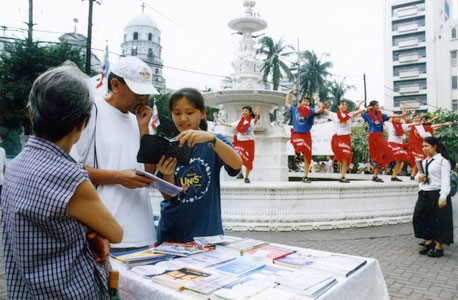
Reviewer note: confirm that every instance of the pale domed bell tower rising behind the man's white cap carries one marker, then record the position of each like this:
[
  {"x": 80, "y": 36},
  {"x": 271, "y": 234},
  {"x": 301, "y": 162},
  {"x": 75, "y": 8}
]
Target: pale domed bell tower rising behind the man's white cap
[{"x": 142, "y": 38}]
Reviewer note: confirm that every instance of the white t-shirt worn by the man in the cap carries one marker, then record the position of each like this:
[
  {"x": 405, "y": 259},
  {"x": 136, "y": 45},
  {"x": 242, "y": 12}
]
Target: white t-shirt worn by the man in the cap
[{"x": 118, "y": 141}]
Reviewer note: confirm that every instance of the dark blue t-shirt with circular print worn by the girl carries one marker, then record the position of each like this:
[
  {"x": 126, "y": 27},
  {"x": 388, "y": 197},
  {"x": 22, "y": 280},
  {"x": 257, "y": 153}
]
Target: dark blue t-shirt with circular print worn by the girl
[{"x": 197, "y": 211}]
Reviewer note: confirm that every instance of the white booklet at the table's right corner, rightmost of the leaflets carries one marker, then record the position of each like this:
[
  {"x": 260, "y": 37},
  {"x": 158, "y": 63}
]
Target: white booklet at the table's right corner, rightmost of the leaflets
[{"x": 339, "y": 265}]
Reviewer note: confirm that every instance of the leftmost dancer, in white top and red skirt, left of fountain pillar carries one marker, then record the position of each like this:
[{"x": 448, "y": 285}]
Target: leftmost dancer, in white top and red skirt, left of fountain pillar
[{"x": 244, "y": 140}]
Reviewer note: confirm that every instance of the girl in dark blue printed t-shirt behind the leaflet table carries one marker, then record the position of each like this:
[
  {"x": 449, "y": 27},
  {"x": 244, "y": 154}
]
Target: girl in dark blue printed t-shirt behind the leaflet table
[{"x": 197, "y": 210}]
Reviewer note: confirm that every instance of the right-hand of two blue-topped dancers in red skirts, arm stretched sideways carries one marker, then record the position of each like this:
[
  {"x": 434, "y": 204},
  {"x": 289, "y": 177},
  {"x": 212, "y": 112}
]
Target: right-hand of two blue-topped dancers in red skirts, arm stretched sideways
[{"x": 379, "y": 149}]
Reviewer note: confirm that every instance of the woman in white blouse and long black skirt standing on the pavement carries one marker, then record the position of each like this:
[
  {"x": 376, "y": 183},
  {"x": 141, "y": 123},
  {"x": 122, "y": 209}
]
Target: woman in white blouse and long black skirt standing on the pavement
[{"x": 432, "y": 218}]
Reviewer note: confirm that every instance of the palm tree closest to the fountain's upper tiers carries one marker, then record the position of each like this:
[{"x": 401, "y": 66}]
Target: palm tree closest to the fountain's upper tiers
[{"x": 273, "y": 63}]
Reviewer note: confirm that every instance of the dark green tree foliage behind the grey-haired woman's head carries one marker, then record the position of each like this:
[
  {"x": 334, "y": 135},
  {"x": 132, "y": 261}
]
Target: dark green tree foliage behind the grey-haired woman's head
[{"x": 20, "y": 64}]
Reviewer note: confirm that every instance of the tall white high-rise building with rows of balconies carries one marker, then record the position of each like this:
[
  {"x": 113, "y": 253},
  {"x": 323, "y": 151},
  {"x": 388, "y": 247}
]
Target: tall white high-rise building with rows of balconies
[{"x": 420, "y": 55}]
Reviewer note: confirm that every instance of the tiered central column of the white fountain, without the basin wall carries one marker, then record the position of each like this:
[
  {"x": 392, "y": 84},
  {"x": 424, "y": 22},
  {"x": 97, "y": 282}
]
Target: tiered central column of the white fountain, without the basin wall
[{"x": 270, "y": 163}]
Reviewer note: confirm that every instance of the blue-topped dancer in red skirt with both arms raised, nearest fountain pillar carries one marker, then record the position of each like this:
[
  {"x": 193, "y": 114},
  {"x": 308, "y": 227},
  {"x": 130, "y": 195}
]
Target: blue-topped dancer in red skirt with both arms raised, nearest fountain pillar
[{"x": 301, "y": 139}]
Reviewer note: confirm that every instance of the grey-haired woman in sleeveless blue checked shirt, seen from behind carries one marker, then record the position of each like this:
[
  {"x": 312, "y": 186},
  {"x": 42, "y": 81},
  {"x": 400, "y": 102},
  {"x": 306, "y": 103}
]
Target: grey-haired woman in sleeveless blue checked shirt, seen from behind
[{"x": 49, "y": 206}]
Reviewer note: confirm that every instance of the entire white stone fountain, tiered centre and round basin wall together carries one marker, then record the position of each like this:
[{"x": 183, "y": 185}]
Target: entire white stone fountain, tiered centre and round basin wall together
[{"x": 270, "y": 202}]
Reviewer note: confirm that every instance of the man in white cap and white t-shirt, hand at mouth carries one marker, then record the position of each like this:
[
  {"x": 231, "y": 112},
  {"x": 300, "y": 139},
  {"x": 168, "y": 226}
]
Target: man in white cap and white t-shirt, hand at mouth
[{"x": 108, "y": 148}]
